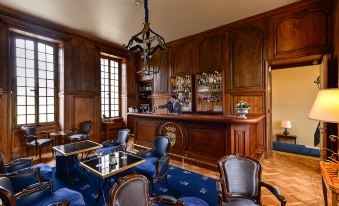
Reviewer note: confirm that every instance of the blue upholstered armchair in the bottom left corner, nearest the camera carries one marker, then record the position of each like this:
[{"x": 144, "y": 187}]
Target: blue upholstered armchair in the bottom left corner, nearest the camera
[{"x": 38, "y": 194}]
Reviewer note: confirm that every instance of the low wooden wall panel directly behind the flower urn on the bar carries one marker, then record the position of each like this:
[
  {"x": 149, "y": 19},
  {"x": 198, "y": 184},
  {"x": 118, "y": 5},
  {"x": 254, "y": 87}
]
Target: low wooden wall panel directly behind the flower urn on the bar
[{"x": 255, "y": 100}]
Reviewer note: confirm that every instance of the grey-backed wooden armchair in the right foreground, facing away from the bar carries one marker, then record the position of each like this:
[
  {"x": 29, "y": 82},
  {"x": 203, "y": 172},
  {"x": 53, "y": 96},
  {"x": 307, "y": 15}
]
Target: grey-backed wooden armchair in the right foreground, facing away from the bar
[{"x": 240, "y": 182}]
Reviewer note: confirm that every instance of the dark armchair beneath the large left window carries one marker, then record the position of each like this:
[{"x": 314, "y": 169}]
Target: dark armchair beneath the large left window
[{"x": 33, "y": 142}]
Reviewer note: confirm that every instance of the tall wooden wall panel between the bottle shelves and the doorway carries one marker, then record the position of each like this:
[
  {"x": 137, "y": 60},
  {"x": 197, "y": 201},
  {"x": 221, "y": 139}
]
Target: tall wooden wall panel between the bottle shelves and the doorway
[{"x": 246, "y": 54}]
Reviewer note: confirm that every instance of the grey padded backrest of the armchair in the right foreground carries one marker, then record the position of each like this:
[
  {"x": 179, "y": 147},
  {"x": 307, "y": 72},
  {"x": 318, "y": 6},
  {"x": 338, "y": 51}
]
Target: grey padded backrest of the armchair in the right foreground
[{"x": 240, "y": 177}]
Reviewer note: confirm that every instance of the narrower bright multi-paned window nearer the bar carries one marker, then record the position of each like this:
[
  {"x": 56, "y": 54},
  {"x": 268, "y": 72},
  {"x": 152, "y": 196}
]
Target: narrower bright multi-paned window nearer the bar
[{"x": 110, "y": 101}]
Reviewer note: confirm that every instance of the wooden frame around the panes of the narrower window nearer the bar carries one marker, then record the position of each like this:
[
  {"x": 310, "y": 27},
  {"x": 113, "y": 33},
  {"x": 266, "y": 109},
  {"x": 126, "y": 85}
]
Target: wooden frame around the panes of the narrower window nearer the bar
[{"x": 109, "y": 58}]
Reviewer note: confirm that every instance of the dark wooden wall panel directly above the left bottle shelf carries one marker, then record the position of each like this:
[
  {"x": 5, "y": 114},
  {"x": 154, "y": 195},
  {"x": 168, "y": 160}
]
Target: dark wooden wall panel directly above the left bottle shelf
[{"x": 183, "y": 58}]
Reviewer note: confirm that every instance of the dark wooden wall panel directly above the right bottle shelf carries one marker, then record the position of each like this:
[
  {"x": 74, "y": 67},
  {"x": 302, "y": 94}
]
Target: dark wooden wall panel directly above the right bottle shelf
[{"x": 211, "y": 53}]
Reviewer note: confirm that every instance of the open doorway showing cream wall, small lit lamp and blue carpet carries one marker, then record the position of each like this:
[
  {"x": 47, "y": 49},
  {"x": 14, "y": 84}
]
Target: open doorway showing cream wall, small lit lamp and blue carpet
[{"x": 293, "y": 92}]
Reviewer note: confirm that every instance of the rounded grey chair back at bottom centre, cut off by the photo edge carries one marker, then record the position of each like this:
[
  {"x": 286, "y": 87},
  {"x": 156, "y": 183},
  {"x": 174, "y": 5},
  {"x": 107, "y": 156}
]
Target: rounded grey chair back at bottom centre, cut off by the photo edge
[{"x": 130, "y": 190}]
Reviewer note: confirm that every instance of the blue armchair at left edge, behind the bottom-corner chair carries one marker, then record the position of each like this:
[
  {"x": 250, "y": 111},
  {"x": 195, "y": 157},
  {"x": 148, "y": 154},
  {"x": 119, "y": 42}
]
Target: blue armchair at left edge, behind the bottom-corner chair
[{"x": 25, "y": 163}]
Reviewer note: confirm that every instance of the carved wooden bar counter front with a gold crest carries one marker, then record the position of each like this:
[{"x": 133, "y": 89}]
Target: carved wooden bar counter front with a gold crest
[{"x": 201, "y": 138}]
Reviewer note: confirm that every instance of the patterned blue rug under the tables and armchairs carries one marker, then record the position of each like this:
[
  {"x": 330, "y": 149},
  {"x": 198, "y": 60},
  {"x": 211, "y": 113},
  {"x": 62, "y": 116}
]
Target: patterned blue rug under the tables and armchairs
[{"x": 181, "y": 183}]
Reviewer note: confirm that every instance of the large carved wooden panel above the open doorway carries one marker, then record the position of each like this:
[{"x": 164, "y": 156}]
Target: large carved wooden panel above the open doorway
[{"x": 301, "y": 32}]
